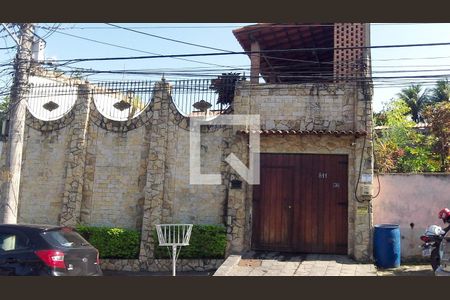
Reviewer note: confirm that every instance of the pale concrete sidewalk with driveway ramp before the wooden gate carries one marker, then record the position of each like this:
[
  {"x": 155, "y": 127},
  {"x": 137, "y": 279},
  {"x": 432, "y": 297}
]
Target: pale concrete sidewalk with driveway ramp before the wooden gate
[{"x": 282, "y": 264}]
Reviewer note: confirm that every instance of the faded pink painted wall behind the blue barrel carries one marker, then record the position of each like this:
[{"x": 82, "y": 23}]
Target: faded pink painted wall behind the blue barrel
[{"x": 407, "y": 199}]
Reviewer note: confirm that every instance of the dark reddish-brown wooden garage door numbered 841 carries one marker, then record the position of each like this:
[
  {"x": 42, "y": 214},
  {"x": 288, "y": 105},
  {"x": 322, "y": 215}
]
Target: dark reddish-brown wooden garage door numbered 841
[{"x": 301, "y": 204}]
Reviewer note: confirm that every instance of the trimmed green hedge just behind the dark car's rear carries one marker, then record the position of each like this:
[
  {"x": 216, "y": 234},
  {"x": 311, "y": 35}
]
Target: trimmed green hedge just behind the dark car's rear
[{"x": 112, "y": 242}]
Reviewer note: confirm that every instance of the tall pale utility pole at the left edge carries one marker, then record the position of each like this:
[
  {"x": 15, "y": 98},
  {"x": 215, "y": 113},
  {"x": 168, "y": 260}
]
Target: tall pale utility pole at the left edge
[{"x": 17, "y": 111}]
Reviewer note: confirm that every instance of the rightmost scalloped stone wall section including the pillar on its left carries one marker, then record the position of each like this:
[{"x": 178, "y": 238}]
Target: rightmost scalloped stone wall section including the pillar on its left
[{"x": 169, "y": 198}]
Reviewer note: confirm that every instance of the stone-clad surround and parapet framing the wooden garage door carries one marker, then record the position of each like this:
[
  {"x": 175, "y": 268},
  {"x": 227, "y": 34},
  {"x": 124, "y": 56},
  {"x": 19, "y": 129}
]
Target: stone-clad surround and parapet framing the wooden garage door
[{"x": 313, "y": 107}]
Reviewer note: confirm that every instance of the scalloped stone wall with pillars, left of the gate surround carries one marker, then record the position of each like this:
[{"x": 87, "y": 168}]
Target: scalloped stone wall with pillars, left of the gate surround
[{"x": 87, "y": 169}]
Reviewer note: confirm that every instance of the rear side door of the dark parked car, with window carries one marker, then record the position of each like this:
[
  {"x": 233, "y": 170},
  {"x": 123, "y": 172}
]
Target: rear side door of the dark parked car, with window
[{"x": 16, "y": 253}]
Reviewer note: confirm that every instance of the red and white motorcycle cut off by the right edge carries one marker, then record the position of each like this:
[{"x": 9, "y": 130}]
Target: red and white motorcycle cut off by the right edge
[{"x": 432, "y": 240}]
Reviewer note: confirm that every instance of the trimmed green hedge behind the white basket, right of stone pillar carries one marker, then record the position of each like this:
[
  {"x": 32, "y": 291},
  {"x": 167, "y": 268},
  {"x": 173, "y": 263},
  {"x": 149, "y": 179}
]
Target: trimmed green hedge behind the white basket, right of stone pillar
[{"x": 207, "y": 241}]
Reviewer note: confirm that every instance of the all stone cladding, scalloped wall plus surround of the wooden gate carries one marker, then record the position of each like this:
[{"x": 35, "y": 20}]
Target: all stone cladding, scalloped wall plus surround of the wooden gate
[{"x": 135, "y": 174}]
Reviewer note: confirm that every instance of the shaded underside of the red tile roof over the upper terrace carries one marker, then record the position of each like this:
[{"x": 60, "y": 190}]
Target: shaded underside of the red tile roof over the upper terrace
[{"x": 291, "y": 66}]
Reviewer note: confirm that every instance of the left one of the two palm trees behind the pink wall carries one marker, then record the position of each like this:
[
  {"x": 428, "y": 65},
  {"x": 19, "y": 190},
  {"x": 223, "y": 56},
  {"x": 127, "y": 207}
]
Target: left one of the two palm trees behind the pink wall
[{"x": 416, "y": 99}]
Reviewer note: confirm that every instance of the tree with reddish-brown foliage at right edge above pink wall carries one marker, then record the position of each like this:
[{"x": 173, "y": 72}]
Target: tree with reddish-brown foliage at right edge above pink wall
[{"x": 438, "y": 116}]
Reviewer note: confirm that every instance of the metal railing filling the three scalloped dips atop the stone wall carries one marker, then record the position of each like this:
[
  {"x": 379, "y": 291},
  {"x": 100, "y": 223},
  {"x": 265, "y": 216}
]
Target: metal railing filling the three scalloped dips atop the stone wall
[{"x": 124, "y": 100}]
